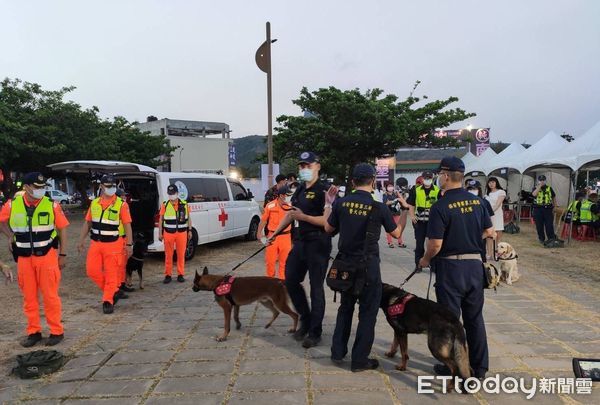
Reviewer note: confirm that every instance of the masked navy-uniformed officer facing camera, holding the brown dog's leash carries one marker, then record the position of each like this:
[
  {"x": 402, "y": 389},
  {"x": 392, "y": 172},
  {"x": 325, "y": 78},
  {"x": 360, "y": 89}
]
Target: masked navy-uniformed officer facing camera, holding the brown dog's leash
[{"x": 311, "y": 248}]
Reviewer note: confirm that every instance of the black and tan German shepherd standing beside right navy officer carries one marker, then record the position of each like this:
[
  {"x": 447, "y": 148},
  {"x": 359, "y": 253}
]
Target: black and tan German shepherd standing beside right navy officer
[{"x": 445, "y": 334}]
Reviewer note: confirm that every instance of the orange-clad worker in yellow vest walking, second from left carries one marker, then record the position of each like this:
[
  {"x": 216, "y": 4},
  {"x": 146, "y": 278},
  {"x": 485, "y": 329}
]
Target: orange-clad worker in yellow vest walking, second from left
[{"x": 107, "y": 220}]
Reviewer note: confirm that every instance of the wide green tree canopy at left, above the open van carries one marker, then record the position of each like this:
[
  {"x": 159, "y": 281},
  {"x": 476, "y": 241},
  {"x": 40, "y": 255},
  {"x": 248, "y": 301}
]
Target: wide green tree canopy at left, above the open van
[{"x": 39, "y": 127}]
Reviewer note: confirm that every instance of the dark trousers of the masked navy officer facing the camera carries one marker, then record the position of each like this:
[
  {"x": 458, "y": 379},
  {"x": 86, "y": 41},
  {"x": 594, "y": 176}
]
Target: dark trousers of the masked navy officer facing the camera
[{"x": 312, "y": 257}]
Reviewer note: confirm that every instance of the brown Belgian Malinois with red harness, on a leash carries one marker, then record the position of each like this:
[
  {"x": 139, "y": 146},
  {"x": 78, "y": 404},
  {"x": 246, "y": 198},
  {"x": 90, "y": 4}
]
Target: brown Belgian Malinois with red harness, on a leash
[{"x": 270, "y": 292}]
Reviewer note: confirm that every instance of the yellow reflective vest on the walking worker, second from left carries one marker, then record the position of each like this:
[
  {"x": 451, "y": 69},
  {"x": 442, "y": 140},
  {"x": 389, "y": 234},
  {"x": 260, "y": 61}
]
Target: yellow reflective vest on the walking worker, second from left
[{"x": 106, "y": 224}]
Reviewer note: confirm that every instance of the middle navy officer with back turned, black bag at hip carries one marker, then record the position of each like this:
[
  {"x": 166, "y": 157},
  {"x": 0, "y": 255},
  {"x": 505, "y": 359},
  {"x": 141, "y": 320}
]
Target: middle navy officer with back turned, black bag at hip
[{"x": 349, "y": 215}]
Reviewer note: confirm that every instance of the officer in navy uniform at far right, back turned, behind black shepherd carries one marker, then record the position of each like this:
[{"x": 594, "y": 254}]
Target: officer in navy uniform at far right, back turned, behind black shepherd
[{"x": 457, "y": 224}]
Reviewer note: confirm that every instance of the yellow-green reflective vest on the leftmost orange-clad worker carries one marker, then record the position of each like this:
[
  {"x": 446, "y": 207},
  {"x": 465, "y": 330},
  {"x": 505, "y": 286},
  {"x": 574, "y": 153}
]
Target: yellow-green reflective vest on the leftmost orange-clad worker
[{"x": 34, "y": 232}]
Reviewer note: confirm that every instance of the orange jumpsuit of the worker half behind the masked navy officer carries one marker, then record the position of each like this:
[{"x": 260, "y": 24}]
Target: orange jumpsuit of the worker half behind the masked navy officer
[{"x": 281, "y": 246}]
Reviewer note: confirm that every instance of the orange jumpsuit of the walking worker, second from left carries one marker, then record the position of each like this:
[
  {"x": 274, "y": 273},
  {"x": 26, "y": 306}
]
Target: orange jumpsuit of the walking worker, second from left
[{"x": 105, "y": 259}]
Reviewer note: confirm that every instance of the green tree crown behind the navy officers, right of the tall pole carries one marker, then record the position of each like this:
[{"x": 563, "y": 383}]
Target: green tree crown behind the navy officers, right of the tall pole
[{"x": 348, "y": 127}]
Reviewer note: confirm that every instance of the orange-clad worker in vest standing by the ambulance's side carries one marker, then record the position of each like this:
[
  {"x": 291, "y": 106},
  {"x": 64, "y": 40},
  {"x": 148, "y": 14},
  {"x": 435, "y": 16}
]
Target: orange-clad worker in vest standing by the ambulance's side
[{"x": 175, "y": 230}]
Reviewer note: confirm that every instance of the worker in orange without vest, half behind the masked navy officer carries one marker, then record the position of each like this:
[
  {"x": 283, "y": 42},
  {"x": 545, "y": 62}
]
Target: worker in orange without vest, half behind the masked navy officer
[{"x": 279, "y": 250}]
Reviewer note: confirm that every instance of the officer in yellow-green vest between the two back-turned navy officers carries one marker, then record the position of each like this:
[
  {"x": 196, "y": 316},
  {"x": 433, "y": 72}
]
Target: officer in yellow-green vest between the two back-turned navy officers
[{"x": 420, "y": 200}]
